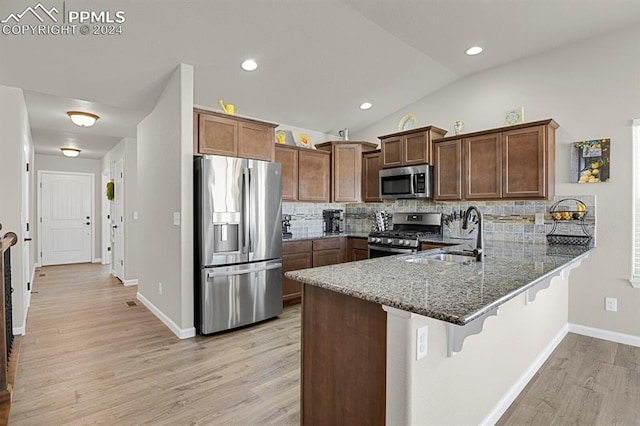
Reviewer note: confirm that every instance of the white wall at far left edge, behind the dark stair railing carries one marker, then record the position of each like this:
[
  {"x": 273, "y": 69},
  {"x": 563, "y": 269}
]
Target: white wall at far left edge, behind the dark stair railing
[{"x": 15, "y": 138}]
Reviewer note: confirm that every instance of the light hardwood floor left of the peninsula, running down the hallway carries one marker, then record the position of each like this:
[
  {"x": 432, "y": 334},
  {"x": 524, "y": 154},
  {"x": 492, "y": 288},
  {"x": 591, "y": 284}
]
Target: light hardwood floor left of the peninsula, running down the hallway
[{"x": 89, "y": 358}]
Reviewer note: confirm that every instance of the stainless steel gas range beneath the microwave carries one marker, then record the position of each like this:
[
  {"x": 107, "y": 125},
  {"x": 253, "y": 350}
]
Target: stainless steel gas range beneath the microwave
[{"x": 404, "y": 237}]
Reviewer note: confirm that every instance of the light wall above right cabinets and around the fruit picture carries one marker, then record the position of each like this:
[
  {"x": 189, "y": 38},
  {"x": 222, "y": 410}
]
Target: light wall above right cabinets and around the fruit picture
[{"x": 592, "y": 90}]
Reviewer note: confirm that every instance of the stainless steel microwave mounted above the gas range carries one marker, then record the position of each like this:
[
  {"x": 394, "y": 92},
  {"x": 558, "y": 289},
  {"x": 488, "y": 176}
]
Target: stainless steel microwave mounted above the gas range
[{"x": 407, "y": 182}]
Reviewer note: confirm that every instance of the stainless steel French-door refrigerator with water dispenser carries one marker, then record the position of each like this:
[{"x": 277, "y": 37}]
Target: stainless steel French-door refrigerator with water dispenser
[{"x": 238, "y": 234}]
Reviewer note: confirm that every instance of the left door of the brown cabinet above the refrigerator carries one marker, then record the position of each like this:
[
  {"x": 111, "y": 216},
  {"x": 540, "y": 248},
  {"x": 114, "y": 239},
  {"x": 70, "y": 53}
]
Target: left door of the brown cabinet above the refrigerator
[{"x": 217, "y": 135}]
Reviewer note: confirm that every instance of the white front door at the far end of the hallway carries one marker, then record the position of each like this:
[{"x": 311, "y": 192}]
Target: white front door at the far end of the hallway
[{"x": 66, "y": 218}]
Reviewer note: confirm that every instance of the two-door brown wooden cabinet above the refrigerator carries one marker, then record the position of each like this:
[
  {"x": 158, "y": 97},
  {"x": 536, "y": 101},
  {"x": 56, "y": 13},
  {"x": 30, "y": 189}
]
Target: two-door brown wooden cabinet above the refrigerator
[{"x": 222, "y": 134}]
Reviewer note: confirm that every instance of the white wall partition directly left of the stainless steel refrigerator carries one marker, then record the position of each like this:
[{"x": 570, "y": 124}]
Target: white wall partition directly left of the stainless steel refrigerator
[{"x": 165, "y": 187}]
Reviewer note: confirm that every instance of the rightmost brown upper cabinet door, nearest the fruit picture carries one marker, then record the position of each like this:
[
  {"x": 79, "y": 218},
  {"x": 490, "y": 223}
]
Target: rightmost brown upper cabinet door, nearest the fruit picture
[{"x": 524, "y": 163}]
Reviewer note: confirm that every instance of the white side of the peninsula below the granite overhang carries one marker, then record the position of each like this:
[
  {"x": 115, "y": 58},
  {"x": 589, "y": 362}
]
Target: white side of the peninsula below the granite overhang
[{"x": 478, "y": 384}]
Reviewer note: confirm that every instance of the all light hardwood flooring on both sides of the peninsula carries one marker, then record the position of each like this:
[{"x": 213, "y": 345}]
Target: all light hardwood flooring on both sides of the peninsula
[{"x": 88, "y": 358}]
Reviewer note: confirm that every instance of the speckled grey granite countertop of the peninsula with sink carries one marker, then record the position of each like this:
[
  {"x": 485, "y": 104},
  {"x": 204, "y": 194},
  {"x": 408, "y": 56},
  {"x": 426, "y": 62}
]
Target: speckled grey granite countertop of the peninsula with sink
[{"x": 455, "y": 293}]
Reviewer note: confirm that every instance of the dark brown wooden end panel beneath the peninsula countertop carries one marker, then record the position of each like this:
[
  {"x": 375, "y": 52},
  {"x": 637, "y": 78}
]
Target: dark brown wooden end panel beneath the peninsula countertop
[{"x": 344, "y": 359}]
